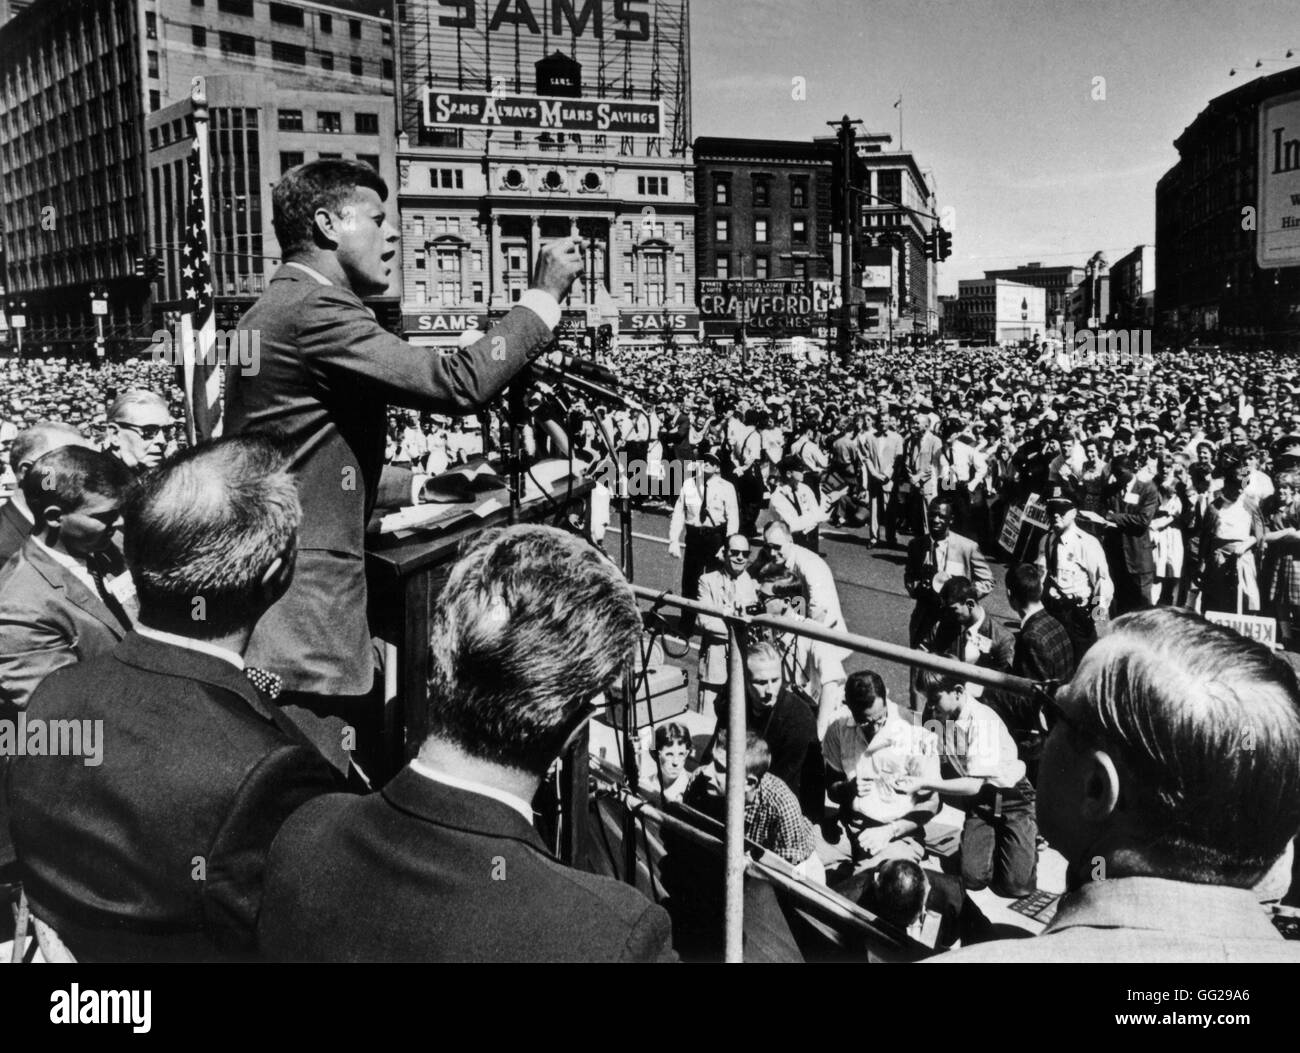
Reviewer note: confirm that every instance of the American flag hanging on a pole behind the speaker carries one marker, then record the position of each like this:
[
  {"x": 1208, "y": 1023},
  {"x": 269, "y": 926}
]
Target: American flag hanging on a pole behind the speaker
[{"x": 201, "y": 371}]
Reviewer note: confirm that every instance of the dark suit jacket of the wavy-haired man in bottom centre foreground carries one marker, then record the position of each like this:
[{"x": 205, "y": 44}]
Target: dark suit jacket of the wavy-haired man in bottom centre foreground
[{"x": 423, "y": 872}]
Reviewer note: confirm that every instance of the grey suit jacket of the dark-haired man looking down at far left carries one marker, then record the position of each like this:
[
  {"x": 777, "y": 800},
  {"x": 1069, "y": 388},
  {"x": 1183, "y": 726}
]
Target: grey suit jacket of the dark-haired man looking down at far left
[{"x": 49, "y": 619}]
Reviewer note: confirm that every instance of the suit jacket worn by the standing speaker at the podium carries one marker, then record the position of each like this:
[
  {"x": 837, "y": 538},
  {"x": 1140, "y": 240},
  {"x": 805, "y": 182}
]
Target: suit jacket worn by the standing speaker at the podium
[{"x": 327, "y": 375}]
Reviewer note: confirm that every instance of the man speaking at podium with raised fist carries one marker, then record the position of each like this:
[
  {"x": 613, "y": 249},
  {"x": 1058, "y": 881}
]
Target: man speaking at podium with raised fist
[{"x": 327, "y": 376}]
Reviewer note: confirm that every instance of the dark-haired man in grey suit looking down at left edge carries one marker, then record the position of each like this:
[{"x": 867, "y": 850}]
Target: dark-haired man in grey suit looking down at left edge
[{"x": 66, "y": 597}]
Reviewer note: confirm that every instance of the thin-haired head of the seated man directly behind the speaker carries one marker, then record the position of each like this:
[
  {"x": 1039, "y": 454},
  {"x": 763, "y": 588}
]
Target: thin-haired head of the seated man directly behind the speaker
[{"x": 205, "y": 534}]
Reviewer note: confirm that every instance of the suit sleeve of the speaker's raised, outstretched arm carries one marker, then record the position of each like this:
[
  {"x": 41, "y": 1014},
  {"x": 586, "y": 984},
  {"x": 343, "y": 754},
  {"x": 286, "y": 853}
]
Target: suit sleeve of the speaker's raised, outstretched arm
[{"x": 352, "y": 353}]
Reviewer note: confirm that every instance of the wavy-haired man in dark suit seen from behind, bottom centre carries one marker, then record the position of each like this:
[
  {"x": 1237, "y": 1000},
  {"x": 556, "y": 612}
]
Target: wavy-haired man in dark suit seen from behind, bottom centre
[{"x": 444, "y": 864}]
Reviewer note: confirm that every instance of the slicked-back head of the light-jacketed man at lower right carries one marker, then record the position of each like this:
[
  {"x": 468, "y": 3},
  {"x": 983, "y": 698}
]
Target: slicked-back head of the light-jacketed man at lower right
[{"x": 1204, "y": 730}]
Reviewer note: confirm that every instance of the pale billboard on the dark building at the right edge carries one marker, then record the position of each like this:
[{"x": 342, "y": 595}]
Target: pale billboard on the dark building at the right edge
[{"x": 1277, "y": 241}]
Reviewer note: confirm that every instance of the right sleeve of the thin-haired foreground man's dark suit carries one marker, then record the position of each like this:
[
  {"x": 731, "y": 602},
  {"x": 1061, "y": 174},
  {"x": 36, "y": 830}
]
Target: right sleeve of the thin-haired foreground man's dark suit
[{"x": 236, "y": 865}]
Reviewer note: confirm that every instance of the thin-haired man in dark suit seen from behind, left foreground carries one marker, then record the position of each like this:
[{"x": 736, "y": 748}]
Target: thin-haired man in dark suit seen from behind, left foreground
[{"x": 155, "y": 851}]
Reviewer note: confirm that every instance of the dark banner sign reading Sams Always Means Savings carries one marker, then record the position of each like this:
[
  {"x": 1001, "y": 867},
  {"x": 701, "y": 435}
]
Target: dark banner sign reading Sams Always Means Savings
[{"x": 499, "y": 110}]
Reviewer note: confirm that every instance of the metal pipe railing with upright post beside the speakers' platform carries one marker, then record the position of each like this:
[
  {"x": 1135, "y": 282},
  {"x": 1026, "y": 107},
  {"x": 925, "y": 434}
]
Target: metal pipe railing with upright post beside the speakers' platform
[{"x": 738, "y": 627}]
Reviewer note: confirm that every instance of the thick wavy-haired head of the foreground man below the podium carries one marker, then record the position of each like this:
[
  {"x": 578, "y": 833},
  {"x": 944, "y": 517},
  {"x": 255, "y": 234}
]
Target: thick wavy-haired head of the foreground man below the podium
[{"x": 532, "y": 625}]
